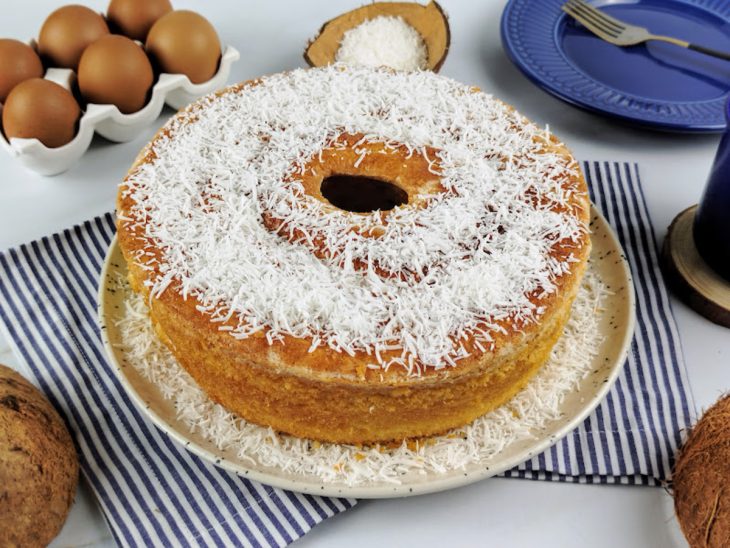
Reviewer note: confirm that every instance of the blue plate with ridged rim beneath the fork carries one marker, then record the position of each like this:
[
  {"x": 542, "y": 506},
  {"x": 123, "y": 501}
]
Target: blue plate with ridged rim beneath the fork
[{"x": 656, "y": 84}]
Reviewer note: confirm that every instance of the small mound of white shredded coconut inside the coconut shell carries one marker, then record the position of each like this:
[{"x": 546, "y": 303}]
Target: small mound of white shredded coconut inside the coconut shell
[{"x": 383, "y": 41}]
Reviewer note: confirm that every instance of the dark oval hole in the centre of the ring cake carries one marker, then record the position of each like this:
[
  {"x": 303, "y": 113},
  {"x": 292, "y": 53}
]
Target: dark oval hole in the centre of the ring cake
[{"x": 361, "y": 194}]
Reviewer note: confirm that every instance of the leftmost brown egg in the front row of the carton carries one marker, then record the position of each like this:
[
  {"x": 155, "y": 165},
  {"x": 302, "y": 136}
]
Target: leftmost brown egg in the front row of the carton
[{"x": 42, "y": 109}]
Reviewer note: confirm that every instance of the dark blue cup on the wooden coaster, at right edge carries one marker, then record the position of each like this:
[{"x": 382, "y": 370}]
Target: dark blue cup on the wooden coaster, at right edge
[{"x": 712, "y": 221}]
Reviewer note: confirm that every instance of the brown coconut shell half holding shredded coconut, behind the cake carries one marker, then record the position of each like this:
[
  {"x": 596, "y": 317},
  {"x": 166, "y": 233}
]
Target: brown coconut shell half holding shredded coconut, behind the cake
[{"x": 430, "y": 21}]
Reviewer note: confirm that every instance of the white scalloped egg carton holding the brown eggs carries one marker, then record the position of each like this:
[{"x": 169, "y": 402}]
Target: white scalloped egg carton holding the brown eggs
[{"x": 174, "y": 89}]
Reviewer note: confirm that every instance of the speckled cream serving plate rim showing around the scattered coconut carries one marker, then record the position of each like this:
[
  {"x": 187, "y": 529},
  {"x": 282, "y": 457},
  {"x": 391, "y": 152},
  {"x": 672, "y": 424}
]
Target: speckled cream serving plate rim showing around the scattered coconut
[{"x": 616, "y": 327}]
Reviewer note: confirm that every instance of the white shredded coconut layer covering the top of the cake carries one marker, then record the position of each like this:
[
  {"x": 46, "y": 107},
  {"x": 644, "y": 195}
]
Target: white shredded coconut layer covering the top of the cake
[{"x": 481, "y": 249}]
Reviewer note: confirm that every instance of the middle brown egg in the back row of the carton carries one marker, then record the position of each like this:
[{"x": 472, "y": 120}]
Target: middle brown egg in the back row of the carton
[{"x": 66, "y": 33}]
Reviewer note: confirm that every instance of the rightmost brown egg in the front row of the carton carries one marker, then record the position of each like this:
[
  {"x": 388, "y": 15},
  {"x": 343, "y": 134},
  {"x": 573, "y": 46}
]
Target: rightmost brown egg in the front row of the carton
[{"x": 186, "y": 43}]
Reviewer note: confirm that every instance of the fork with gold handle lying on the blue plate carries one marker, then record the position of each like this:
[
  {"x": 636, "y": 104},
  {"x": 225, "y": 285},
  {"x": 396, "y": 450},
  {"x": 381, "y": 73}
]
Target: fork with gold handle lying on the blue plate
[{"x": 619, "y": 33}]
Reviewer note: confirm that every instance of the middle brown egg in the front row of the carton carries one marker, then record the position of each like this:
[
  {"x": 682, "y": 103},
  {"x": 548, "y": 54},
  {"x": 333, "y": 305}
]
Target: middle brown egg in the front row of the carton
[{"x": 115, "y": 70}]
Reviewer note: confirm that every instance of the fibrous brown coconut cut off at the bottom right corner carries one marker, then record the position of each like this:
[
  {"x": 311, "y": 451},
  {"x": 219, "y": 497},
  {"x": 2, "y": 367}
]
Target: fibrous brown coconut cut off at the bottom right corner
[{"x": 701, "y": 481}]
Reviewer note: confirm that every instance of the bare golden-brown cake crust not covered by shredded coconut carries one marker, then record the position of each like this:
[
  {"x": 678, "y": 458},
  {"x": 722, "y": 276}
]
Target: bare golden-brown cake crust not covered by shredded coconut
[{"x": 333, "y": 396}]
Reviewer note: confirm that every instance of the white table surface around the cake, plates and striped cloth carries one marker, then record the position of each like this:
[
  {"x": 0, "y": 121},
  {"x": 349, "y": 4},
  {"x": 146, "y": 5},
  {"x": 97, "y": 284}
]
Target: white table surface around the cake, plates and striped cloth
[{"x": 271, "y": 36}]
